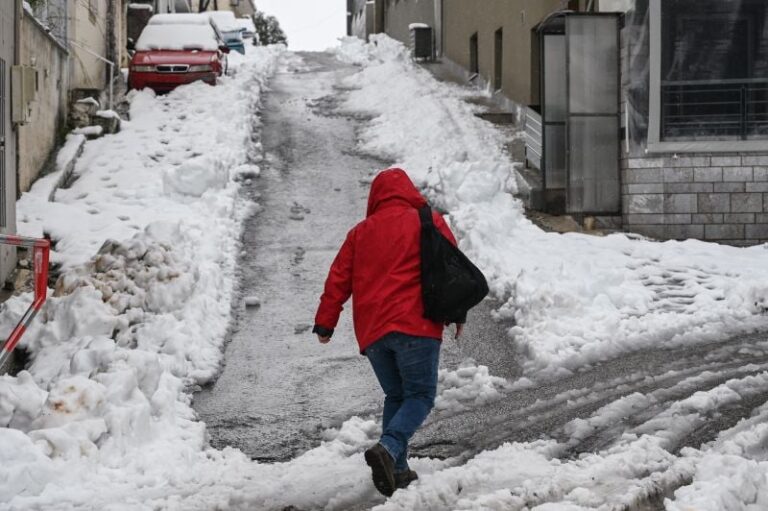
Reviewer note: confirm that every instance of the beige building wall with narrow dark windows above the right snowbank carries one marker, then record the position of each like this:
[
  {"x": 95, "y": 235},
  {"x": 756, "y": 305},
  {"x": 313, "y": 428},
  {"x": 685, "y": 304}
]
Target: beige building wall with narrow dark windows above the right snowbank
[{"x": 516, "y": 18}]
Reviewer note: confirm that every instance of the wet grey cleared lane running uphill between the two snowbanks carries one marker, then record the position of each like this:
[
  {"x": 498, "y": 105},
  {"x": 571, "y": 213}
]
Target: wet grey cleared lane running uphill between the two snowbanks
[{"x": 280, "y": 389}]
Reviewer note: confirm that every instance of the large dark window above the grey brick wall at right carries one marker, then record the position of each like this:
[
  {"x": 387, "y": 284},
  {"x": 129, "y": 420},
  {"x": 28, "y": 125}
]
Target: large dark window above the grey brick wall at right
[{"x": 714, "y": 70}]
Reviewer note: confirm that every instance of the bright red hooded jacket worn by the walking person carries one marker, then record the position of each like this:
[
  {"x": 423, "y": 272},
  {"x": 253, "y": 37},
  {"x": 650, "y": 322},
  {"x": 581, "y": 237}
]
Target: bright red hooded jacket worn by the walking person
[{"x": 379, "y": 265}]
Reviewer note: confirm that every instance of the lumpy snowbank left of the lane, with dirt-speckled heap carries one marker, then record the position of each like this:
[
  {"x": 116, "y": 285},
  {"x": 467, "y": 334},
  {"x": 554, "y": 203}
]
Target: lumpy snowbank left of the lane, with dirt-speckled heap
[{"x": 147, "y": 240}]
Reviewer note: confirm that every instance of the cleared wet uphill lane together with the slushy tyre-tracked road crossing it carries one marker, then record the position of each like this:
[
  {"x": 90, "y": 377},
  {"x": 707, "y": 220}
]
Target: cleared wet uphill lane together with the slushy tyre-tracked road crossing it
[{"x": 280, "y": 390}]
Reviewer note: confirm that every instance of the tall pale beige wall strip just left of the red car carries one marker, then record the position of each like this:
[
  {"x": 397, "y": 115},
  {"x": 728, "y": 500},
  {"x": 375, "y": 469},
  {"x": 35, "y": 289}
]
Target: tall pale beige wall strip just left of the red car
[{"x": 88, "y": 27}]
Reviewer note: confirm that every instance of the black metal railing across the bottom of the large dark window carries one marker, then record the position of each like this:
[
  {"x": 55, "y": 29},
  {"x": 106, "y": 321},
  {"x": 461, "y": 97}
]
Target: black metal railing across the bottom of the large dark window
[{"x": 715, "y": 109}]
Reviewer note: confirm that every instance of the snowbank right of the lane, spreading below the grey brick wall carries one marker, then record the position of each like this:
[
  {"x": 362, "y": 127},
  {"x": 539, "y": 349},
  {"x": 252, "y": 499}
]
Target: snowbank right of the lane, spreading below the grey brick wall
[{"x": 610, "y": 295}]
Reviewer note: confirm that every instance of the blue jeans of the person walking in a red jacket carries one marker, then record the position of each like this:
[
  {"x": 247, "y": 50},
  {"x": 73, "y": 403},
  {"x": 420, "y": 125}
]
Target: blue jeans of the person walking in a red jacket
[{"x": 406, "y": 367}]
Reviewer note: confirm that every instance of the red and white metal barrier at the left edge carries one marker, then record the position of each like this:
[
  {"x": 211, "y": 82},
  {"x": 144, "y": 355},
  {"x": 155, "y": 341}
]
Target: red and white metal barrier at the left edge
[{"x": 41, "y": 249}]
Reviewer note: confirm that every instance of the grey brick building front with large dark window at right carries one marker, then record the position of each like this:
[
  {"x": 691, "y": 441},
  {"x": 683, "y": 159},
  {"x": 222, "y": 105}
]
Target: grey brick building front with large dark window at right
[{"x": 695, "y": 151}]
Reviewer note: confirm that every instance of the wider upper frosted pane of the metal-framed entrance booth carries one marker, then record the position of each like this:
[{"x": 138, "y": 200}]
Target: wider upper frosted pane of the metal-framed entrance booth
[{"x": 593, "y": 69}]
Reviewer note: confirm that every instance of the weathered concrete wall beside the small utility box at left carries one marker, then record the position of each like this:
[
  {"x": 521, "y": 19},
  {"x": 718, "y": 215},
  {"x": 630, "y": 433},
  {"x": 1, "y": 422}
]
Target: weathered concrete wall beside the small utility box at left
[{"x": 39, "y": 137}]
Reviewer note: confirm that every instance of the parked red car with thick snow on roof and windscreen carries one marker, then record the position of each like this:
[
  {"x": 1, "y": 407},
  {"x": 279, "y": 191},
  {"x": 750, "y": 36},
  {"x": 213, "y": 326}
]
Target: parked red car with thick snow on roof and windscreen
[{"x": 176, "y": 52}]
